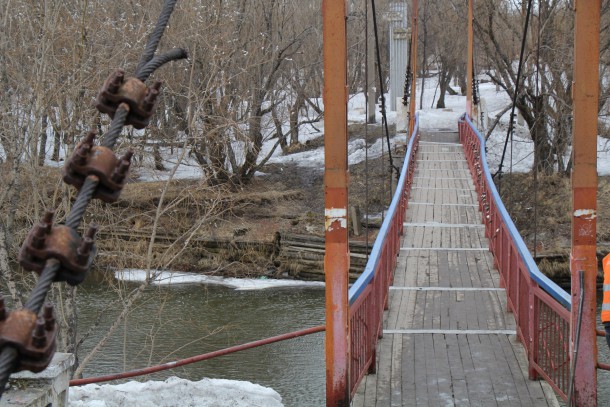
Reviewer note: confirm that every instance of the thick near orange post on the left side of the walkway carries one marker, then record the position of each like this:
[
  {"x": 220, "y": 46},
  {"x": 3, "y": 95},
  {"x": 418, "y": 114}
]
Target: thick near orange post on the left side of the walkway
[{"x": 336, "y": 260}]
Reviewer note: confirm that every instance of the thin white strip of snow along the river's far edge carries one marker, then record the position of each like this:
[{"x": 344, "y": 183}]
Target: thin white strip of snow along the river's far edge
[{"x": 174, "y": 277}]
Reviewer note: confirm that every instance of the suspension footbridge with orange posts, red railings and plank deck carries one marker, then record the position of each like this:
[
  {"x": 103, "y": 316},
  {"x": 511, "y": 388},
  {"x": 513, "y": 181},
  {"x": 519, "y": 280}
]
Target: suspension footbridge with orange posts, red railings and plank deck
[{"x": 451, "y": 308}]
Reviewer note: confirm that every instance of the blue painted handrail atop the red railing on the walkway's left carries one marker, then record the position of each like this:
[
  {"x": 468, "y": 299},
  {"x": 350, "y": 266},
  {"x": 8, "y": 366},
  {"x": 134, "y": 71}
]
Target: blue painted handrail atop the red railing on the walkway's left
[{"x": 369, "y": 271}]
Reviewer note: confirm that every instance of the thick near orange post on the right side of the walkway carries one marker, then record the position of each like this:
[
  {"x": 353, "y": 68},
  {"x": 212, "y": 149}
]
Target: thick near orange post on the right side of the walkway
[{"x": 584, "y": 198}]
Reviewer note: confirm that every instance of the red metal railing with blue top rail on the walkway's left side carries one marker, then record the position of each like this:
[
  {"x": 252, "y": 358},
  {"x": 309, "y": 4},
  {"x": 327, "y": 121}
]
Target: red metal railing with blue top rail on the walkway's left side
[{"x": 368, "y": 295}]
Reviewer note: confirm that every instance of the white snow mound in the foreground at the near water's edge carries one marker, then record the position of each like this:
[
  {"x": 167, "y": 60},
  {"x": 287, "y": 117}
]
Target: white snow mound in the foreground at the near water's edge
[{"x": 175, "y": 392}]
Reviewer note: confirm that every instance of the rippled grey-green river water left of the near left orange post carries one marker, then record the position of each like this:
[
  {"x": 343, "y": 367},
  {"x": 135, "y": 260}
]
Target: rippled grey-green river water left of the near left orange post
[{"x": 170, "y": 323}]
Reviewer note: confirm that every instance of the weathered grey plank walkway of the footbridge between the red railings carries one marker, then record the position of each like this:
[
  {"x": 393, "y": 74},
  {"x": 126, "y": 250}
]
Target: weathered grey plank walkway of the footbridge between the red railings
[{"x": 448, "y": 339}]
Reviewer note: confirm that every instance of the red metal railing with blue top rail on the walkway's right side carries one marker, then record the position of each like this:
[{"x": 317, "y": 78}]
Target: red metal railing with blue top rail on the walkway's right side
[{"x": 541, "y": 308}]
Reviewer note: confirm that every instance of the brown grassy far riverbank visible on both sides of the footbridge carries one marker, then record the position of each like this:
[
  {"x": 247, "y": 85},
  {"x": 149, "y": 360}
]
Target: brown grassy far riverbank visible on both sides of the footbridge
[{"x": 273, "y": 227}]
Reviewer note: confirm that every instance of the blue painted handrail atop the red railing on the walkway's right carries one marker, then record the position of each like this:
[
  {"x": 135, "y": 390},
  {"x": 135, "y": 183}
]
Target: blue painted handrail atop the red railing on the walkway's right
[{"x": 543, "y": 281}]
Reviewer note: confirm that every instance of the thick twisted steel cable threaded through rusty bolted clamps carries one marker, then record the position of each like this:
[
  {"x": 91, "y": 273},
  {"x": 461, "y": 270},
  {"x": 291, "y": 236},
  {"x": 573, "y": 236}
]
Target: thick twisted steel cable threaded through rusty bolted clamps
[{"x": 148, "y": 63}]
